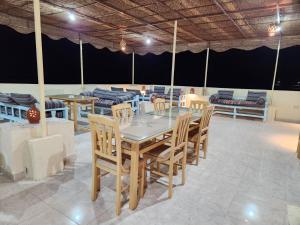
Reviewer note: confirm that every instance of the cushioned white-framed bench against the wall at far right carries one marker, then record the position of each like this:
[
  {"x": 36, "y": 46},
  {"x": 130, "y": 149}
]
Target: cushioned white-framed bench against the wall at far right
[{"x": 254, "y": 105}]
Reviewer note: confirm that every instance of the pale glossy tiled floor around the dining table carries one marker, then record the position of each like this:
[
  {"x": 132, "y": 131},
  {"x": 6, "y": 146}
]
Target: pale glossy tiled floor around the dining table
[{"x": 251, "y": 176}]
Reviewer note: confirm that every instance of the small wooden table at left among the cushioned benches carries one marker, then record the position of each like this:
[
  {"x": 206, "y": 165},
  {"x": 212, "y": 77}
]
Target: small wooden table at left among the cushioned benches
[{"x": 74, "y": 101}]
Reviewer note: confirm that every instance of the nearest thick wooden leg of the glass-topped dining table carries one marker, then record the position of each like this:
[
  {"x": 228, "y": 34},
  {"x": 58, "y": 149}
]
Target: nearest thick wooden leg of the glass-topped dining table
[{"x": 134, "y": 170}]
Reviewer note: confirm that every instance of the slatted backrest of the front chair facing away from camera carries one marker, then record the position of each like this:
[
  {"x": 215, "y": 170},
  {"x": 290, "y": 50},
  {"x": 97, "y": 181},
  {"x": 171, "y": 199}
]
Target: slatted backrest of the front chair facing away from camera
[{"x": 106, "y": 138}]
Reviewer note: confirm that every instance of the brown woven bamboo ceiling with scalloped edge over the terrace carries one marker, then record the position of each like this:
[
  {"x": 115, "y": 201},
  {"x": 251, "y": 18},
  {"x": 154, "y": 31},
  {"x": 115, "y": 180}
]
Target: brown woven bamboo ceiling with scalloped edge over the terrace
[{"x": 221, "y": 24}]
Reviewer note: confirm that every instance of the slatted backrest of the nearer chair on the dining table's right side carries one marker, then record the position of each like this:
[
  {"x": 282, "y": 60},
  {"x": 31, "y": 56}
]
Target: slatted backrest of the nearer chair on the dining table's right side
[{"x": 180, "y": 132}]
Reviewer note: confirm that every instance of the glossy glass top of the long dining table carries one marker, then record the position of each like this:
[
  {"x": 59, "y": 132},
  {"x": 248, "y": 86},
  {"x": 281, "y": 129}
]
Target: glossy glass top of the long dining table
[{"x": 142, "y": 127}]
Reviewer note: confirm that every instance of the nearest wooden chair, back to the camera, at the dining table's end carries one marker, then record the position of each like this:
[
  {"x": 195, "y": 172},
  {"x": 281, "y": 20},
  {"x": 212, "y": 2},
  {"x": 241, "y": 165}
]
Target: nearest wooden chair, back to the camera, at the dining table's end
[{"x": 107, "y": 155}]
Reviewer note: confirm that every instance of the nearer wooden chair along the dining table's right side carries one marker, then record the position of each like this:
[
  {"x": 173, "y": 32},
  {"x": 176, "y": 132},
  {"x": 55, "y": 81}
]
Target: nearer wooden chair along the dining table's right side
[{"x": 171, "y": 155}]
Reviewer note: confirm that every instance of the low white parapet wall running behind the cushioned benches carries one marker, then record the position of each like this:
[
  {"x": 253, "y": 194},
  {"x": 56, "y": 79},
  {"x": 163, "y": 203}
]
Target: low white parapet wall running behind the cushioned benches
[{"x": 287, "y": 103}]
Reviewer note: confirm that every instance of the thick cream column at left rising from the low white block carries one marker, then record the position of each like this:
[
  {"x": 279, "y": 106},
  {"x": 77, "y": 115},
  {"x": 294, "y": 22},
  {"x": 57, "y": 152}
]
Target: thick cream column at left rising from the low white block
[{"x": 40, "y": 67}]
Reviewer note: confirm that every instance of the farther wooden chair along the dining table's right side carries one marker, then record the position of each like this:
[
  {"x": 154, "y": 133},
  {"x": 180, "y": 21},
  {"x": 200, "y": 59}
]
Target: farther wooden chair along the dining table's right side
[{"x": 199, "y": 134}]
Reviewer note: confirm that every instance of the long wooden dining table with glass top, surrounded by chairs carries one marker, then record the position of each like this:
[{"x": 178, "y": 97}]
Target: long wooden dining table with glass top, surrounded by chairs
[{"x": 140, "y": 130}]
